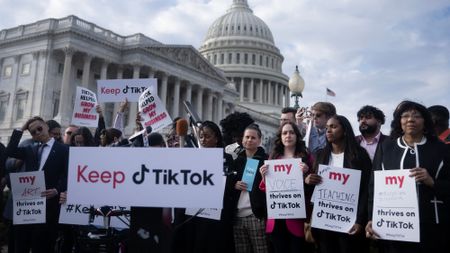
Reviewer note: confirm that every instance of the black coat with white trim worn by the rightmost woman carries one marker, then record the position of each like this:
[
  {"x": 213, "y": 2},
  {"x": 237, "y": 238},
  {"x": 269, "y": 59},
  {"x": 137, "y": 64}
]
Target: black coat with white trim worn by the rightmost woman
[{"x": 434, "y": 157}]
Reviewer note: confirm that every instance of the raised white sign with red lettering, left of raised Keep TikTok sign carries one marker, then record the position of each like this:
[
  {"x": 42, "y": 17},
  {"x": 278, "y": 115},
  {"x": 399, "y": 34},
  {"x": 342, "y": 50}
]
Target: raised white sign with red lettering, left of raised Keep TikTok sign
[{"x": 84, "y": 112}]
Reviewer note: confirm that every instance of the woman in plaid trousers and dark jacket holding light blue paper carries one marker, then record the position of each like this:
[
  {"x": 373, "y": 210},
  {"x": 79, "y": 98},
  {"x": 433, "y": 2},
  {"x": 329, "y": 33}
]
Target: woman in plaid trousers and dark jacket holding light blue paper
[{"x": 248, "y": 201}]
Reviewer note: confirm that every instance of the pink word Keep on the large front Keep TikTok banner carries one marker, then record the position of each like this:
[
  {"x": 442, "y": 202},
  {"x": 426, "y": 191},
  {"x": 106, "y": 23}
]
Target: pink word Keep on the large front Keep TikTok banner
[{"x": 94, "y": 176}]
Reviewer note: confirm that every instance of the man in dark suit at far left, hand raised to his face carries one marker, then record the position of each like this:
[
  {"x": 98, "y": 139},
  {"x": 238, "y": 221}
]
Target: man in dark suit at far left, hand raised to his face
[{"x": 52, "y": 157}]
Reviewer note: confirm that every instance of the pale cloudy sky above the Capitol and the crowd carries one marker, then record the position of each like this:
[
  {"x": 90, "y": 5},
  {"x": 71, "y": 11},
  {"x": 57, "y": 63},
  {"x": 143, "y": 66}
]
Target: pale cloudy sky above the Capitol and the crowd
[{"x": 375, "y": 52}]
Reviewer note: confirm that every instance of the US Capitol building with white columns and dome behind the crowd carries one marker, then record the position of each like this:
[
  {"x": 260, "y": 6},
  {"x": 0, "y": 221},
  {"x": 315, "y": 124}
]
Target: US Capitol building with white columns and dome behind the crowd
[{"x": 238, "y": 68}]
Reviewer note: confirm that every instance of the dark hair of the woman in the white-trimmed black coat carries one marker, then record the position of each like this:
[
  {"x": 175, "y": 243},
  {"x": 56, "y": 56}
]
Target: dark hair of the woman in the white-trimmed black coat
[{"x": 396, "y": 126}]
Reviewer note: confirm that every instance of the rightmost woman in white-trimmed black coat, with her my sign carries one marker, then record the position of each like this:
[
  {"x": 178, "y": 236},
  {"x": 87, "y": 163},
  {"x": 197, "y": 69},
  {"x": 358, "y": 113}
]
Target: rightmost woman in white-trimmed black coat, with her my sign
[{"x": 414, "y": 146}]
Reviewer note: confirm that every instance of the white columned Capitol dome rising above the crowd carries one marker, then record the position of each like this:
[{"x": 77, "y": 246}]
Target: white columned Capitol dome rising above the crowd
[{"x": 242, "y": 45}]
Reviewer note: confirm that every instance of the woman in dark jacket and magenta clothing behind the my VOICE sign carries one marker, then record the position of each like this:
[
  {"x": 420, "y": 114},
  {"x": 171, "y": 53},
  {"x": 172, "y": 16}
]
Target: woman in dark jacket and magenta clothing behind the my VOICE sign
[{"x": 287, "y": 235}]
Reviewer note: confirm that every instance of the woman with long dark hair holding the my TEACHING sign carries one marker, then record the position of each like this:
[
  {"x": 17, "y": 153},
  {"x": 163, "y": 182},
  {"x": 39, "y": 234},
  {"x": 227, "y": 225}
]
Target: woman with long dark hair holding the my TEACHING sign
[{"x": 342, "y": 151}]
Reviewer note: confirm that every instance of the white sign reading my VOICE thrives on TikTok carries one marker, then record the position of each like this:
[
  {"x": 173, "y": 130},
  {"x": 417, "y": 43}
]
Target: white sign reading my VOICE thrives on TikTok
[{"x": 284, "y": 189}]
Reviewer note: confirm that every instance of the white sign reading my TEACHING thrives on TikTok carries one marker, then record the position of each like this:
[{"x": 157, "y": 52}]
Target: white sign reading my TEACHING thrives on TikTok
[{"x": 336, "y": 199}]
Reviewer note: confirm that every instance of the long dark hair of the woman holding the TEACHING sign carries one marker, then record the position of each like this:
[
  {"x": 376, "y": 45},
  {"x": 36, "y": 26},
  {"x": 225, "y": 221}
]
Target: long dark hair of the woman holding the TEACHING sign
[{"x": 351, "y": 146}]
